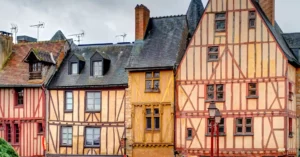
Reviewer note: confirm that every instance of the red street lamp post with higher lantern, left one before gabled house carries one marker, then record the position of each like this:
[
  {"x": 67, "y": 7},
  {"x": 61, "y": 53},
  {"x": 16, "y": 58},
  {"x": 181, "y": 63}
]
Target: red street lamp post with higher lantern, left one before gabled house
[{"x": 212, "y": 113}]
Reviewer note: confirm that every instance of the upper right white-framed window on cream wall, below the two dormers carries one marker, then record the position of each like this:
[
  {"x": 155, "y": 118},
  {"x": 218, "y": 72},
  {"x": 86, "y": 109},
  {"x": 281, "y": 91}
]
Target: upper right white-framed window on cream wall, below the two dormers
[{"x": 93, "y": 101}]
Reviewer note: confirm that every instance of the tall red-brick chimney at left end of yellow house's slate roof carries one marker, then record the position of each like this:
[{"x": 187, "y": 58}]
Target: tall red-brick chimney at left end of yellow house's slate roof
[{"x": 142, "y": 16}]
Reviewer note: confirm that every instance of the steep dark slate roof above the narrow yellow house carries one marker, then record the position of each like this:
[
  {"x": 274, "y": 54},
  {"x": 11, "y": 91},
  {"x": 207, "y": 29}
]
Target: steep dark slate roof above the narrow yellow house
[{"x": 164, "y": 44}]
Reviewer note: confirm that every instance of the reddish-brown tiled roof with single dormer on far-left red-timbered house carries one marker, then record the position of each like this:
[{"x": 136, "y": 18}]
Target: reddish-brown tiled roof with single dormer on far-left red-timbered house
[{"x": 15, "y": 72}]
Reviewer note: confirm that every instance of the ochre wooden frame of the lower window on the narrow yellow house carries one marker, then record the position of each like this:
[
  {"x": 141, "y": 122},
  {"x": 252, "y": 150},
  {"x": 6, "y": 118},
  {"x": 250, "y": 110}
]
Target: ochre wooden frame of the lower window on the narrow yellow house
[{"x": 152, "y": 116}]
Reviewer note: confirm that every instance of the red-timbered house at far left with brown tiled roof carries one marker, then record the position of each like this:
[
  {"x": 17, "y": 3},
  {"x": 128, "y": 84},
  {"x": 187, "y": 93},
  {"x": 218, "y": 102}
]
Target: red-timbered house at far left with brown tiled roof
[{"x": 25, "y": 69}]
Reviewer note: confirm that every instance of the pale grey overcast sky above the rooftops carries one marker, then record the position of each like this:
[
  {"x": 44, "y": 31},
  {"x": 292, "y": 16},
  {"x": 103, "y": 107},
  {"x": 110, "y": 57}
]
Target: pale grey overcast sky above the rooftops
[{"x": 102, "y": 20}]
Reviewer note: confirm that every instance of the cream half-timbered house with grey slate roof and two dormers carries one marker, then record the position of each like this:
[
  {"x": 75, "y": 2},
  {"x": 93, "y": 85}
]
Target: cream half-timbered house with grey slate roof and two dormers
[{"x": 87, "y": 102}]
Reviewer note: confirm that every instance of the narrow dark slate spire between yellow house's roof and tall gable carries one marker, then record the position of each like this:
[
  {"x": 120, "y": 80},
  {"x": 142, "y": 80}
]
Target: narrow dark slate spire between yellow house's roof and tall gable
[{"x": 194, "y": 15}]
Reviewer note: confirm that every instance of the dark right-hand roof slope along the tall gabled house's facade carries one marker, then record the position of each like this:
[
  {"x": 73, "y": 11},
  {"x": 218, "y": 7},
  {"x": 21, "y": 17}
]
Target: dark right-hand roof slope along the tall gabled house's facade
[{"x": 276, "y": 31}]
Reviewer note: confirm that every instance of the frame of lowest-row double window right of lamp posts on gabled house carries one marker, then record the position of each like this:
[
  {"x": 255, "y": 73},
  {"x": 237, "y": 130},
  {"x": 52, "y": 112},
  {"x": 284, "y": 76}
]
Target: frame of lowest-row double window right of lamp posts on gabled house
[{"x": 244, "y": 126}]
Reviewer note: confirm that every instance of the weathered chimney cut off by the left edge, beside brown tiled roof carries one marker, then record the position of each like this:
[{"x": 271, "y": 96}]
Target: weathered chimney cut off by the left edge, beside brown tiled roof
[{"x": 6, "y": 42}]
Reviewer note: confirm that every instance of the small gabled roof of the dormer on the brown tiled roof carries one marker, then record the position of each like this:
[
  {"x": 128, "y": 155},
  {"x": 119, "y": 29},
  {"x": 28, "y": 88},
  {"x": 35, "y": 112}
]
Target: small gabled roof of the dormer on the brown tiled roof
[{"x": 42, "y": 56}]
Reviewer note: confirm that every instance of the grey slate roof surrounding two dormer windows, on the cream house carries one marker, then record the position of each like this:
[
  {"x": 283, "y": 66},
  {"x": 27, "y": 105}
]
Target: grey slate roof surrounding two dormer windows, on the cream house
[{"x": 116, "y": 75}]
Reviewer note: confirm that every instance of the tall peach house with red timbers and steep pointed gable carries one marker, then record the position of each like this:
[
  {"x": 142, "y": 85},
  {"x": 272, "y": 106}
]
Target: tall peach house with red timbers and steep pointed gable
[{"x": 239, "y": 60}]
